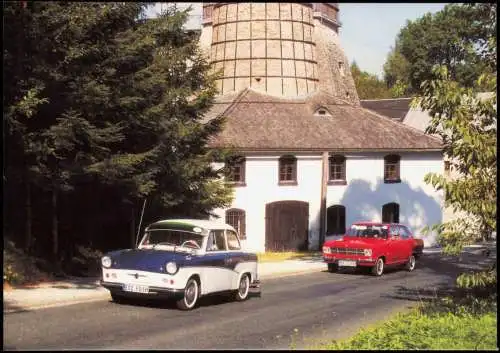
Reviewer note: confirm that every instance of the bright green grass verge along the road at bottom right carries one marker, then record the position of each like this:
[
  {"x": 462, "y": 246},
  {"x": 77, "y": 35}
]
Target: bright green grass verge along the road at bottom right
[{"x": 442, "y": 325}]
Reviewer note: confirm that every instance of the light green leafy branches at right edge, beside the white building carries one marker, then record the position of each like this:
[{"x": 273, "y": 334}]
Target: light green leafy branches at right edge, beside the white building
[{"x": 467, "y": 125}]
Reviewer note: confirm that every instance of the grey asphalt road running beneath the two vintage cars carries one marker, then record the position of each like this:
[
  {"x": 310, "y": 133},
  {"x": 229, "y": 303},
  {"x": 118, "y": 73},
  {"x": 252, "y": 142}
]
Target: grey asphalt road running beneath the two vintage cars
[{"x": 293, "y": 311}]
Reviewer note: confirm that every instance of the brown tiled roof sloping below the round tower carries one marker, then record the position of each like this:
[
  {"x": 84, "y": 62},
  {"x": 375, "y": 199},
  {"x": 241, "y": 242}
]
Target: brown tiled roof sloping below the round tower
[{"x": 257, "y": 121}]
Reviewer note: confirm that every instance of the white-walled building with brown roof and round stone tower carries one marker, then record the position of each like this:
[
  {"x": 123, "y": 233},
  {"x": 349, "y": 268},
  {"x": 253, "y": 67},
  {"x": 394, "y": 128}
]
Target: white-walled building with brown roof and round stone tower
[{"x": 313, "y": 159}]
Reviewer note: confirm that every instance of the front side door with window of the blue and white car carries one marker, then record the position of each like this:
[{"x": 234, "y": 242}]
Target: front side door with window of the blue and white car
[{"x": 216, "y": 272}]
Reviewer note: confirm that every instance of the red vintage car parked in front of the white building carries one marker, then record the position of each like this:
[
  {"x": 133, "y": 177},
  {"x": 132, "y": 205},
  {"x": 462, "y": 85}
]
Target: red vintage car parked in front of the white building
[{"x": 373, "y": 245}]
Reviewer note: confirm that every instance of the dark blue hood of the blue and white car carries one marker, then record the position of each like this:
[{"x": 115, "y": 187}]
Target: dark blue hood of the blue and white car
[{"x": 145, "y": 259}]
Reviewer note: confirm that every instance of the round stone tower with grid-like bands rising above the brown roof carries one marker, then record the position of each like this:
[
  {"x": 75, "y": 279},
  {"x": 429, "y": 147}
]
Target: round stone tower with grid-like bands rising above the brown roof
[{"x": 283, "y": 49}]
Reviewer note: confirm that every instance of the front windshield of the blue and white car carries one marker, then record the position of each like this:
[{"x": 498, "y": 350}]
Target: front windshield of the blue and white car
[{"x": 174, "y": 238}]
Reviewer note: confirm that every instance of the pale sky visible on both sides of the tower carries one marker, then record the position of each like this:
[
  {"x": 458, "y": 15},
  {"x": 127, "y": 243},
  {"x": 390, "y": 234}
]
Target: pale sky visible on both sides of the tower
[{"x": 368, "y": 29}]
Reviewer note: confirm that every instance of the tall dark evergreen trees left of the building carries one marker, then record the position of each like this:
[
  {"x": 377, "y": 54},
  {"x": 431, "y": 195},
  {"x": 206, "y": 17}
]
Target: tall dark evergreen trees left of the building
[{"x": 102, "y": 109}]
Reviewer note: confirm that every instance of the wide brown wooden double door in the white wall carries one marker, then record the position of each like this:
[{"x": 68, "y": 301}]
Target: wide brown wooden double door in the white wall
[{"x": 287, "y": 225}]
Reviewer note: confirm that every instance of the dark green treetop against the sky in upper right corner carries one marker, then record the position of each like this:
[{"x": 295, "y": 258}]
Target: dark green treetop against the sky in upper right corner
[{"x": 459, "y": 36}]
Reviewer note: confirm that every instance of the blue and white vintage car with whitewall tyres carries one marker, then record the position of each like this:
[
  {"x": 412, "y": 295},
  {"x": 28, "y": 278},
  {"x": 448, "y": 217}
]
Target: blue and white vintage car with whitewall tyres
[{"x": 182, "y": 259}]
